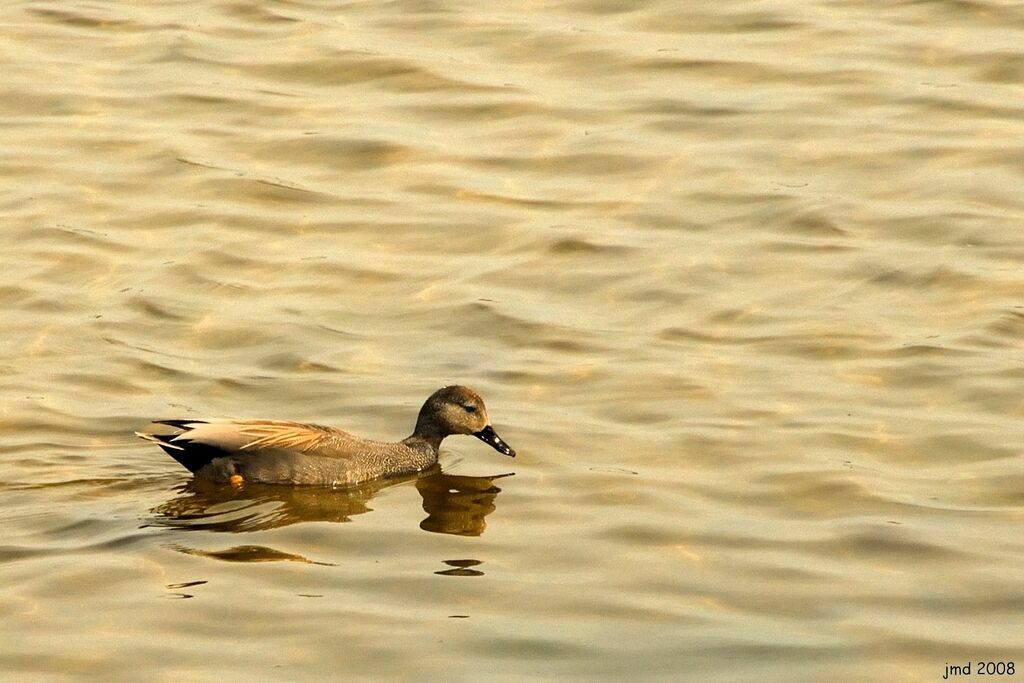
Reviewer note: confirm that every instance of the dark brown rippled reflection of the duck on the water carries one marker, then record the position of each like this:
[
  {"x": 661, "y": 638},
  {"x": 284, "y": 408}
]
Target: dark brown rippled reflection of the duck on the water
[{"x": 455, "y": 504}]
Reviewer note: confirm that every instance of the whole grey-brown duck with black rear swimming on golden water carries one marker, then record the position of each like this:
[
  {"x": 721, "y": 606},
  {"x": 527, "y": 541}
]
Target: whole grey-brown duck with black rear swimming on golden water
[{"x": 293, "y": 453}]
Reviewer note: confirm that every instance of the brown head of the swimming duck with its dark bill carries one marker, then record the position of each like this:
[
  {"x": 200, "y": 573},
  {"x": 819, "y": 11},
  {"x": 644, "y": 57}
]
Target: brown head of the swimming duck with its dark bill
[{"x": 458, "y": 410}]
